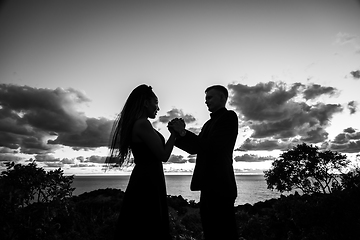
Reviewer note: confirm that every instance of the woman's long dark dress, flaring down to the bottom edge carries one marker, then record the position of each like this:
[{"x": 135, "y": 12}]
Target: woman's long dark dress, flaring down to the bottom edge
[{"x": 144, "y": 211}]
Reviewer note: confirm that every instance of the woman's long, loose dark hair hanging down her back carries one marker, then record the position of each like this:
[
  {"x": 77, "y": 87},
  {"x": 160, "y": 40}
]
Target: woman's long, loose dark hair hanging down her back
[{"x": 133, "y": 109}]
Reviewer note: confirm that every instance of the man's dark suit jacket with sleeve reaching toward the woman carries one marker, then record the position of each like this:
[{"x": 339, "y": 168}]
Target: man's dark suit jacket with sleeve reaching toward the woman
[{"x": 214, "y": 148}]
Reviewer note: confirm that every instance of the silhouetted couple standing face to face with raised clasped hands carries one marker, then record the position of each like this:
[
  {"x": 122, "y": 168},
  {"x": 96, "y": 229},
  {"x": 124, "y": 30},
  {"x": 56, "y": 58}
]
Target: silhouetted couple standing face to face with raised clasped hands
[{"x": 144, "y": 210}]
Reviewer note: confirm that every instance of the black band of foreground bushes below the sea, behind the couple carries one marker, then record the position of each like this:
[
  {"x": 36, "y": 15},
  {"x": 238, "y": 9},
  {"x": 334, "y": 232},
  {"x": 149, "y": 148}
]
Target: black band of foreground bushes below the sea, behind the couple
[{"x": 40, "y": 207}]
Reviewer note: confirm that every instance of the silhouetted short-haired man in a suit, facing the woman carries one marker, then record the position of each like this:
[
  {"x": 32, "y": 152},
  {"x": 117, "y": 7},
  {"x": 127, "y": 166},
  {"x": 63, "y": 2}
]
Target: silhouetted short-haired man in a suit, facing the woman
[{"x": 213, "y": 174}]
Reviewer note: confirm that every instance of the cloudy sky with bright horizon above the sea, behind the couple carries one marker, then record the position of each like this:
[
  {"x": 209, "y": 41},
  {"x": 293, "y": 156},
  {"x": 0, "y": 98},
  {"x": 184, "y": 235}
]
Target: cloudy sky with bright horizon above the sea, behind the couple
[{"x": 292, "y": 69}]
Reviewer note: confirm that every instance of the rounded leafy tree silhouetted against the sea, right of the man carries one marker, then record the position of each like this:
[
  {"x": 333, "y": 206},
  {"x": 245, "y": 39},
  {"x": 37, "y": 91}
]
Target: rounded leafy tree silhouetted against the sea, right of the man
[{"x": 306, "y": 168}]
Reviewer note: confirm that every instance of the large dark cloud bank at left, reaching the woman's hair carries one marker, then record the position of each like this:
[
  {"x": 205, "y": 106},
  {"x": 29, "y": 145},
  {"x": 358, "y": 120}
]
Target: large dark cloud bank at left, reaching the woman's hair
[{"x": 38, "y": 120}]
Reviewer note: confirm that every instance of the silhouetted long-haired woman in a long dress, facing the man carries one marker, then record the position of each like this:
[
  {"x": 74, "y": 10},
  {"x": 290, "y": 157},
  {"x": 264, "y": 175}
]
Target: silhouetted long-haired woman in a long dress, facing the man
[{"x": 144, "y": 211}]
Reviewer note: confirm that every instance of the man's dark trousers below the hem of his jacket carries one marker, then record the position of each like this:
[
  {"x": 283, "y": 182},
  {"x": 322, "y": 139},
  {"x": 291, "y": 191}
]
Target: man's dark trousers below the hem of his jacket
[{"x": 218, "y": 217}]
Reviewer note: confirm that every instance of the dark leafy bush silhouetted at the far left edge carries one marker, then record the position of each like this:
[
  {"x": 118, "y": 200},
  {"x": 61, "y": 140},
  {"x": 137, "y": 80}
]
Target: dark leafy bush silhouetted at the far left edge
[{"x": 33, "y": 202}]
